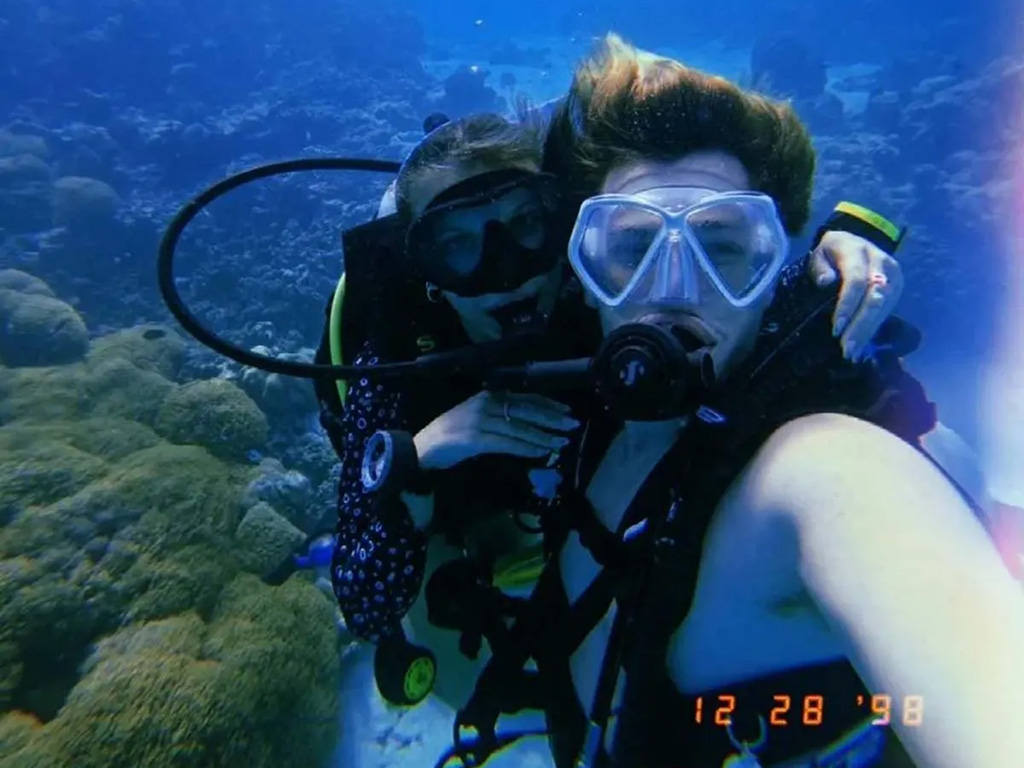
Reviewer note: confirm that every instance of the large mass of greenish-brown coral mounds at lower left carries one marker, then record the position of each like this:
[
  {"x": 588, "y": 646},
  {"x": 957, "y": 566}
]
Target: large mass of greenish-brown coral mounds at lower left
[{"x": 130, "y": 634}]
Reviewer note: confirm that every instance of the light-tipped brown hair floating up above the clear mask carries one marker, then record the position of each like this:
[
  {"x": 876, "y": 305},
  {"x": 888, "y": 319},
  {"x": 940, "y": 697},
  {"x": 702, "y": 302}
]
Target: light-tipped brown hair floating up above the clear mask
[{"x": 626, "y": 105}]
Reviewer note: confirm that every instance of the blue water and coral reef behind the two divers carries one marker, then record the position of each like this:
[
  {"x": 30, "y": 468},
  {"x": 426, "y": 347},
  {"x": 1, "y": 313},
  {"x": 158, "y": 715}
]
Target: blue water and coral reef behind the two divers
[{"x": 150, "y": 489}]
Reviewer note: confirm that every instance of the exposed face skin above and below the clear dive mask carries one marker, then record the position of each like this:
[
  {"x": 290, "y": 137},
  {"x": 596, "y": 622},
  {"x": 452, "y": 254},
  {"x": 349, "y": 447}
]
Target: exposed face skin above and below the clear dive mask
[{"x": 734, "y": 330}]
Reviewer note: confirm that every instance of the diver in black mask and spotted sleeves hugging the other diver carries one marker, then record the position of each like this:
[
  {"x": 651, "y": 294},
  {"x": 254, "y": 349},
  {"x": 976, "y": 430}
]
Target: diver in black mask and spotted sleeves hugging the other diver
[{"x": 473, "y": 252}]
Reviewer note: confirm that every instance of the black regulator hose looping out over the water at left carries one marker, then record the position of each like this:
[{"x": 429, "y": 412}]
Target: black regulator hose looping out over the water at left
[{"x": 439, "y": 364}]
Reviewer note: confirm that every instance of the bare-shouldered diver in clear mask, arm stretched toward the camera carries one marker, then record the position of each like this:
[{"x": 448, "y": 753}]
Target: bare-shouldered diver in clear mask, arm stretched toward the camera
[{"x": 773, "y": 572}]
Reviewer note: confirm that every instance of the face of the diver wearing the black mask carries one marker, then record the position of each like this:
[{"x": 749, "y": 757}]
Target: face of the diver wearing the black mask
[{"x": 462, "y": 236}]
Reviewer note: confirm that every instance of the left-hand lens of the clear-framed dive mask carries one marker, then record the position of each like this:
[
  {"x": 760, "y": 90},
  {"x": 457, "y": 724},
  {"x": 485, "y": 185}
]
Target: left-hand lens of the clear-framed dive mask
[{"x": 615, "y": 242}]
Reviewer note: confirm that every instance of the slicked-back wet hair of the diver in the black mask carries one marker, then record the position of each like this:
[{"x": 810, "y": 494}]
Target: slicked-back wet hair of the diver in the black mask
[{"x": 488, "y": 141}]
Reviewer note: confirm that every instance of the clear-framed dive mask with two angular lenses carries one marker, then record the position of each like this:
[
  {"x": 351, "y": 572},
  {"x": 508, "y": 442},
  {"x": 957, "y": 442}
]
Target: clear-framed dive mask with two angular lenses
[{"x": 666, "y": 246}]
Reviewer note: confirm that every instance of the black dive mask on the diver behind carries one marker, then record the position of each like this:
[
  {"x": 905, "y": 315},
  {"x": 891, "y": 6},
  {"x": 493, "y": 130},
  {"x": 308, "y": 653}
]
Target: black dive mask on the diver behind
[{"x": 489, "y": 234}]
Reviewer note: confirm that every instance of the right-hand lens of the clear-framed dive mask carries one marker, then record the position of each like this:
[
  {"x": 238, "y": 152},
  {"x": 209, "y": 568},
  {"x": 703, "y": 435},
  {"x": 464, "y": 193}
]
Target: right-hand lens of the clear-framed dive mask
[{"x": 742, "y": 243}]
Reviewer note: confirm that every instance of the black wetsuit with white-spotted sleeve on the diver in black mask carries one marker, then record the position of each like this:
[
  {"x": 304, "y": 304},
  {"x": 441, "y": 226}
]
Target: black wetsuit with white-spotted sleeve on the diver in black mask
[{"x": 380, "y": 559}]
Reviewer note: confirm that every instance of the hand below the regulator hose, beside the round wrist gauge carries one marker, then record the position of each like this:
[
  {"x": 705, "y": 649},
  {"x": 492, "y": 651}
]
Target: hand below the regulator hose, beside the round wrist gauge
[{"x": 526, "y": 425}]
